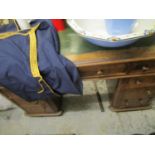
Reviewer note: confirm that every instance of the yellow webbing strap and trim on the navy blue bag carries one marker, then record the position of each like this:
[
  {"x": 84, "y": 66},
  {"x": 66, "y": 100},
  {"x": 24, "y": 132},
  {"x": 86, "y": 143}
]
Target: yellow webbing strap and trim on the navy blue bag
[{"x": 33, "y": 55}]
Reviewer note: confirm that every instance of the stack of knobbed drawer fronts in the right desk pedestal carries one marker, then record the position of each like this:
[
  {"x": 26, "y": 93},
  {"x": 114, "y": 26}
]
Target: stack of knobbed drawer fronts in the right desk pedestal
[{"x": 128, "y": 95}]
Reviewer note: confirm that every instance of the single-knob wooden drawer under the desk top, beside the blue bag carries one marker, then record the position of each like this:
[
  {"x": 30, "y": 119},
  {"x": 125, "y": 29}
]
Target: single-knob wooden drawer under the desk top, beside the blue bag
[{"x": 102, "y": 71}]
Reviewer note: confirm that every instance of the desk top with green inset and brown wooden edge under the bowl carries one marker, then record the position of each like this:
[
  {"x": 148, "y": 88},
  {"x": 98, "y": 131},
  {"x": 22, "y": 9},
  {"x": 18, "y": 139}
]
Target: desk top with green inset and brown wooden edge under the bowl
[{"x": 82, "y": 52}]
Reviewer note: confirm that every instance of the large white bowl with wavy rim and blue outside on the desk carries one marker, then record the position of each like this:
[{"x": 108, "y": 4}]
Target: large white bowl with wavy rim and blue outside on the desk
[{"x": 95, "y": 32}]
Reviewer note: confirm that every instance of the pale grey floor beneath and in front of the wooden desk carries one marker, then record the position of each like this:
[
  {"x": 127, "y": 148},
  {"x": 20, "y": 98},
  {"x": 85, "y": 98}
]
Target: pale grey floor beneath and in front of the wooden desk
[{"x": 82, "y": 116}]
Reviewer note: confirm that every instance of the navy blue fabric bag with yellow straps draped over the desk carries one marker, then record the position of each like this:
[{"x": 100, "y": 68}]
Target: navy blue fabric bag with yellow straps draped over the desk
[{"x": 31, "y": 64}]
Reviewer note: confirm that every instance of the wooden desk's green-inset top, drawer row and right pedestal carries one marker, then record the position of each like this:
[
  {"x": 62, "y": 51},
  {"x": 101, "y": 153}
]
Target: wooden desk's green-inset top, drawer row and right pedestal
[{"x": 129, "y": 71}]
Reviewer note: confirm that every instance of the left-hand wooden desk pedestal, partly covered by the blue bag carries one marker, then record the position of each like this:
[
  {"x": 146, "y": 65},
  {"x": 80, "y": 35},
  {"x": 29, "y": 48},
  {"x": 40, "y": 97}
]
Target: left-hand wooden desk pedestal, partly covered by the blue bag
[{"x": 48, "y": 107}]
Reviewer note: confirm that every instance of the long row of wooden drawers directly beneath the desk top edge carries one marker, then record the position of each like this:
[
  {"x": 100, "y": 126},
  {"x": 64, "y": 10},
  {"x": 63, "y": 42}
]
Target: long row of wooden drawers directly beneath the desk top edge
[{"x": 130, "y": 69}]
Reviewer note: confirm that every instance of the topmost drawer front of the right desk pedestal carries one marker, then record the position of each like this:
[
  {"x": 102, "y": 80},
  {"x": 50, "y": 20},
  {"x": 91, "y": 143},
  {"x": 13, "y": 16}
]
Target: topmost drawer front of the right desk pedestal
[{"x": 137, "y": 82}]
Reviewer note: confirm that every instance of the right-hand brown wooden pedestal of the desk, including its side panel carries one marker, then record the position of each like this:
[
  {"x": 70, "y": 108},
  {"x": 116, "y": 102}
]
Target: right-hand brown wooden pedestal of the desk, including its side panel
[{"x": 124, "y": 96}]
